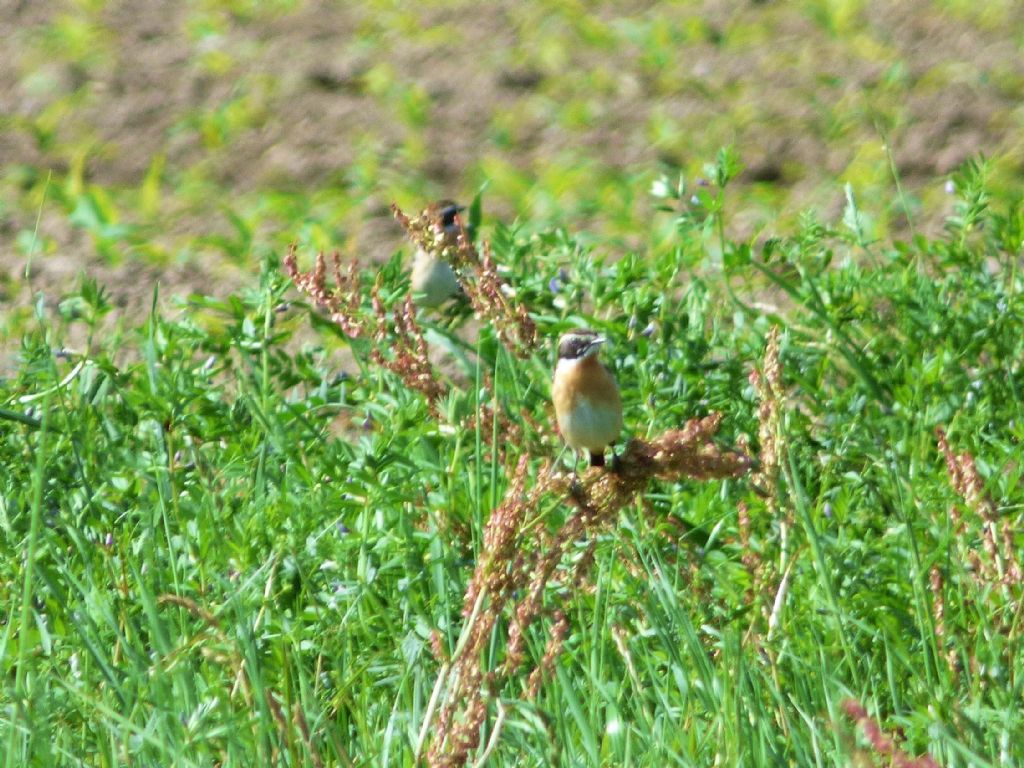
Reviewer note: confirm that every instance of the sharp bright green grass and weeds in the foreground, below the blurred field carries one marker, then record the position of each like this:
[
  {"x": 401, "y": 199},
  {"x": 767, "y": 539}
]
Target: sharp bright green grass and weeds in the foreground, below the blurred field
[{"x": 223, "y": 550}]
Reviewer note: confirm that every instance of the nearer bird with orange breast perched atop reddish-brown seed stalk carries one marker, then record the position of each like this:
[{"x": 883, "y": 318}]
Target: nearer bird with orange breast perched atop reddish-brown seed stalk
[{"x": 588, "y": 406}]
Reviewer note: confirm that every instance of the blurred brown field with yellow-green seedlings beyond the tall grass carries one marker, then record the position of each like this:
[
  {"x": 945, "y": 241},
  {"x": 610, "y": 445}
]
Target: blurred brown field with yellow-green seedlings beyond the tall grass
[{"x": 184, "y": 142}]
